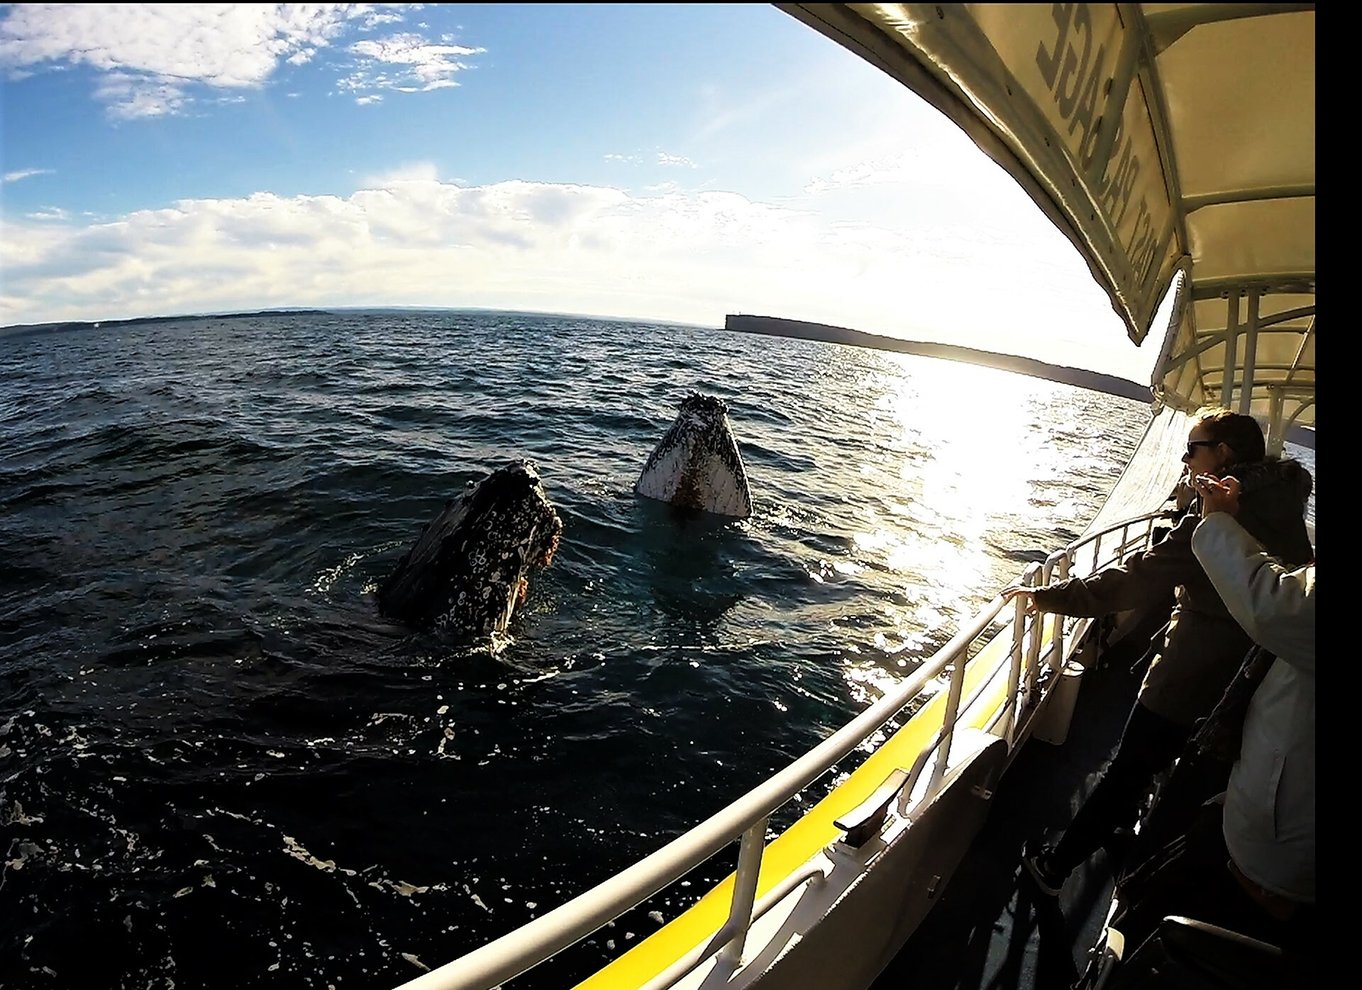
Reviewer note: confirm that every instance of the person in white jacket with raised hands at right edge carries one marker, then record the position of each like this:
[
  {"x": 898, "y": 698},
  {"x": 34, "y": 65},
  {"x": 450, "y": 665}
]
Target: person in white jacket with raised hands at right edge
[{"x": 1270, "y": 801}]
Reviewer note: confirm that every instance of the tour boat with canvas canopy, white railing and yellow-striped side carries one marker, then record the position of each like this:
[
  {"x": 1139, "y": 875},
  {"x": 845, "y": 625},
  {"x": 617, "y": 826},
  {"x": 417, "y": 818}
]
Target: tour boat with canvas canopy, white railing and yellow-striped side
[{"x": 1175, "y": 146}]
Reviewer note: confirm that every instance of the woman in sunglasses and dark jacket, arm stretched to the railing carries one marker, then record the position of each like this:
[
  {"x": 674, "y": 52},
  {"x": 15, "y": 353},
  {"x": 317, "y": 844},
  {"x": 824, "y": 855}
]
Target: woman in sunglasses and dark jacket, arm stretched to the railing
[{"x": 1203, "y": 646}]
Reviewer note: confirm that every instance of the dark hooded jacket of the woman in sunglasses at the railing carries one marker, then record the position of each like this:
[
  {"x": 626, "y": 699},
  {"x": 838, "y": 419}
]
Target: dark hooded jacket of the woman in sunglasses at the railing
[{"x": 1203, "y": 646}]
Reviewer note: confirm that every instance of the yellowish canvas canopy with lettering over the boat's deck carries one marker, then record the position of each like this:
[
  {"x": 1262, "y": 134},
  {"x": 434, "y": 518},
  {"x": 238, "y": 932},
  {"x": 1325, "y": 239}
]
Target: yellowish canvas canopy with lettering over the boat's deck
[{"x": 1161, "y": 140}]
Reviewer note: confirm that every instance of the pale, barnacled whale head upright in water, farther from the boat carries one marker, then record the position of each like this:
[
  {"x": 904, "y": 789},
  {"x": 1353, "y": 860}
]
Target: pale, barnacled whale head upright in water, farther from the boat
[{"x": 697, "y": 465}]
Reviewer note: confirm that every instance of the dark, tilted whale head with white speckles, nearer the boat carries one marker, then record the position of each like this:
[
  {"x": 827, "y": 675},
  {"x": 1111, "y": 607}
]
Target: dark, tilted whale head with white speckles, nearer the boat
[{"x": 471, "y": 569}]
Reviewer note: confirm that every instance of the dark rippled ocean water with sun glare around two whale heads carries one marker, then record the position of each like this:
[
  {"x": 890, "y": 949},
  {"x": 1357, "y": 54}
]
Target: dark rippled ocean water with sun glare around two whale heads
[{"x": 221, "y": 769}]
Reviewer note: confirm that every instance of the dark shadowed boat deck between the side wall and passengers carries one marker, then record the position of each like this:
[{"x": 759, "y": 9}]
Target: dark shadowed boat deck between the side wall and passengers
[{"x": 992, "y": 927}]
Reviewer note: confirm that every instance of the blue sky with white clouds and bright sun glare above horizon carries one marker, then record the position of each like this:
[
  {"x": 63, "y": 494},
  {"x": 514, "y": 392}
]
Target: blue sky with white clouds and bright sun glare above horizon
[{"x": 637, "y": 161}]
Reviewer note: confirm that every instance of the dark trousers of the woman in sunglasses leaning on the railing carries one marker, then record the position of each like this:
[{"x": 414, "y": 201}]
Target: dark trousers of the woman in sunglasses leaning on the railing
[{"x": 1149, "y": 744}]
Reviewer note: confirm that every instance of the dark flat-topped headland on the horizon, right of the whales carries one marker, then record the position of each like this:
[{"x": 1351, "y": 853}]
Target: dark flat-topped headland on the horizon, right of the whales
[{"x": 777, "y": 326}]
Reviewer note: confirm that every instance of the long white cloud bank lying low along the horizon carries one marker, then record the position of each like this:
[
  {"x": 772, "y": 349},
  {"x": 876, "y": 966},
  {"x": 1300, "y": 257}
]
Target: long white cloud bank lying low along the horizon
[{"x": 412, "y": 240}]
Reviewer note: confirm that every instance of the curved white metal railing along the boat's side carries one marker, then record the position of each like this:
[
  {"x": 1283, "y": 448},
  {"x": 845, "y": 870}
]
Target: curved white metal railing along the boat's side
[{"x": 747, "y": 818}]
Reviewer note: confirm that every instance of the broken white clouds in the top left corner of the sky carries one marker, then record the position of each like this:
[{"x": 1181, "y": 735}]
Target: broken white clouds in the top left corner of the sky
[{"x": 159, "y": 57}]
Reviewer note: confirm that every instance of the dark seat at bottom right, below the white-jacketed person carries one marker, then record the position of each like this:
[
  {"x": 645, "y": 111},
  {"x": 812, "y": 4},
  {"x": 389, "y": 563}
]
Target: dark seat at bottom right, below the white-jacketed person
[{"x": 1184, "y": 954}]
